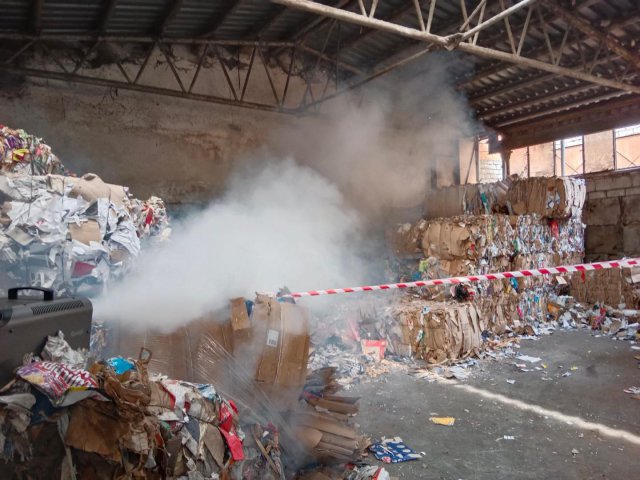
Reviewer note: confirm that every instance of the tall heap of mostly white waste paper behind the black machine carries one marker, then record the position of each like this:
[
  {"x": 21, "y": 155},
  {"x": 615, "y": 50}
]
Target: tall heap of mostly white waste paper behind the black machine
[{"x": 72, "y": 234}]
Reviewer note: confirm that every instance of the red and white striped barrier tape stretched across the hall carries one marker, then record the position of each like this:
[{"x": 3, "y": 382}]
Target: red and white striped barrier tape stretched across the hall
[{"x": 625, "y": 263}]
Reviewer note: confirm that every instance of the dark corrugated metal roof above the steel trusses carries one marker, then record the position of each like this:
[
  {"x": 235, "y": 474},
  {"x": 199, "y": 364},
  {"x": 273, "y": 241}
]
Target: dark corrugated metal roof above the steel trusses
[{"x": 361, "y": 48}]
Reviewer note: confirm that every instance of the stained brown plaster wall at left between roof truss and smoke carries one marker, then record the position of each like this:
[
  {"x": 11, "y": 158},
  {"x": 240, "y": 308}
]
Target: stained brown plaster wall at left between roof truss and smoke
[{"x": 178, "y": 149}]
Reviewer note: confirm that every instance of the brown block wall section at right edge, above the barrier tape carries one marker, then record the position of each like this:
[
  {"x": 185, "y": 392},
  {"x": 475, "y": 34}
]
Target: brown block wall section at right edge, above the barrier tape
[{"x": 612, "y": 215}]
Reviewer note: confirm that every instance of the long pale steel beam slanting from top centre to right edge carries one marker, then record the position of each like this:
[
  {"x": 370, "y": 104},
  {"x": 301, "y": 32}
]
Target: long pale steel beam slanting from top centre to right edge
[{"x": 450, "y": 43}]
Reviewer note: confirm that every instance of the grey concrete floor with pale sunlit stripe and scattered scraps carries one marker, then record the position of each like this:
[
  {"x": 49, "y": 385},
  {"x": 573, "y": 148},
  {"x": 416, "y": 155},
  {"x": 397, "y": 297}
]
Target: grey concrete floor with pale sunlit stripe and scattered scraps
[{"x": 474, "y": 448}]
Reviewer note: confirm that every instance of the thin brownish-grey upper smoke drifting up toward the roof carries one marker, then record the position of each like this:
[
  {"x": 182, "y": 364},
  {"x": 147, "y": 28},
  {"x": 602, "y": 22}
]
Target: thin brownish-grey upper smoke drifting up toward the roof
[{"x": 384, "y": 145}]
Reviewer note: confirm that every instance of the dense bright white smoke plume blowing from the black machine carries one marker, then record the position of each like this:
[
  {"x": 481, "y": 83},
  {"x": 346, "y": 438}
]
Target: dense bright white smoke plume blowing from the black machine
[{"x": 278, "y": 224}]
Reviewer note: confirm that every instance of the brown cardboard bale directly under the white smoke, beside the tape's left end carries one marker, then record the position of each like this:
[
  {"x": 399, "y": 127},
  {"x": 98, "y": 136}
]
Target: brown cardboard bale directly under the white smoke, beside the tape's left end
[{"x": 272, "y": 346}]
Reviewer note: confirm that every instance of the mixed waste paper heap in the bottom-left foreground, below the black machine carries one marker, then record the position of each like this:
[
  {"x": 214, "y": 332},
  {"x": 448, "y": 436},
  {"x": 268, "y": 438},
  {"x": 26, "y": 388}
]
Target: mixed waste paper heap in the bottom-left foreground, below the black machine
[{"x": 64, "y": 413}]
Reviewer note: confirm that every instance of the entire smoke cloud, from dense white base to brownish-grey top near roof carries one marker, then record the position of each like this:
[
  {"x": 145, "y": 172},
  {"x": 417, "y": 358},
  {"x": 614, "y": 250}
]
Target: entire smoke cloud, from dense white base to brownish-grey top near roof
[{"x": 307, "y": 222}]
